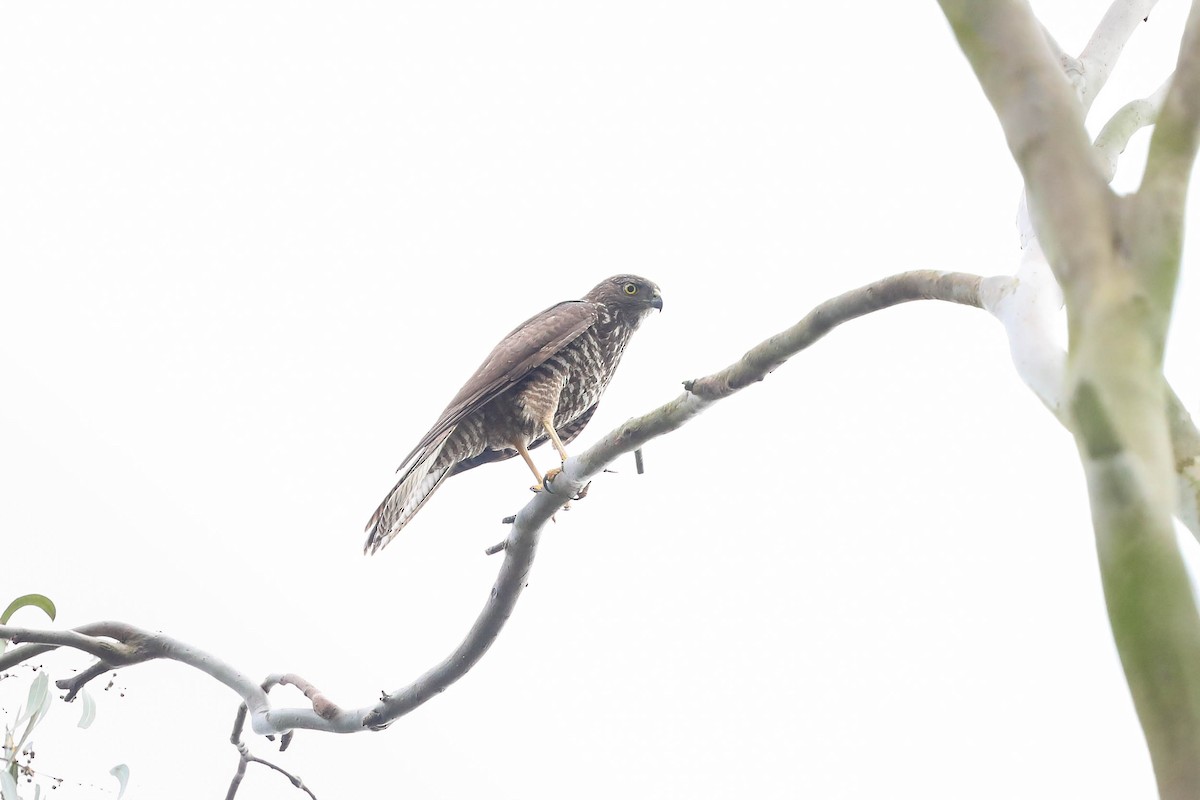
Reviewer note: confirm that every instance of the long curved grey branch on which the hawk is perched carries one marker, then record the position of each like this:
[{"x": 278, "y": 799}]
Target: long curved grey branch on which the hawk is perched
[{"x": 134, "y": 645}]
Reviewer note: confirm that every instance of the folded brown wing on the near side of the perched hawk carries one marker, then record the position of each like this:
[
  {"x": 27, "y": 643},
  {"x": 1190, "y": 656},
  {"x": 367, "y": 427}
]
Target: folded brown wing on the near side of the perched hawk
[{"x": 527, "y": 347}]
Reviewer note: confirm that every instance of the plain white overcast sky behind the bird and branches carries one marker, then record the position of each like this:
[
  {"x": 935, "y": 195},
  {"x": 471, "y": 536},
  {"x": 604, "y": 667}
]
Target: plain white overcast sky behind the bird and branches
[{"x": 250, "y": 251}]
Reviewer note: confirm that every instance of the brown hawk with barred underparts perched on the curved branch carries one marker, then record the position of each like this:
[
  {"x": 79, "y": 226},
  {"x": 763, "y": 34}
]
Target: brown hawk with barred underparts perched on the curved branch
[{"x": 542, "y": 383}]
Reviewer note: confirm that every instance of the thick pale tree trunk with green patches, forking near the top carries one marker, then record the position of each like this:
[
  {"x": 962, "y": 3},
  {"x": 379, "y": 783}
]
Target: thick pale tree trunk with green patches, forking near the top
[{"x": 1117, "y": 260}]
